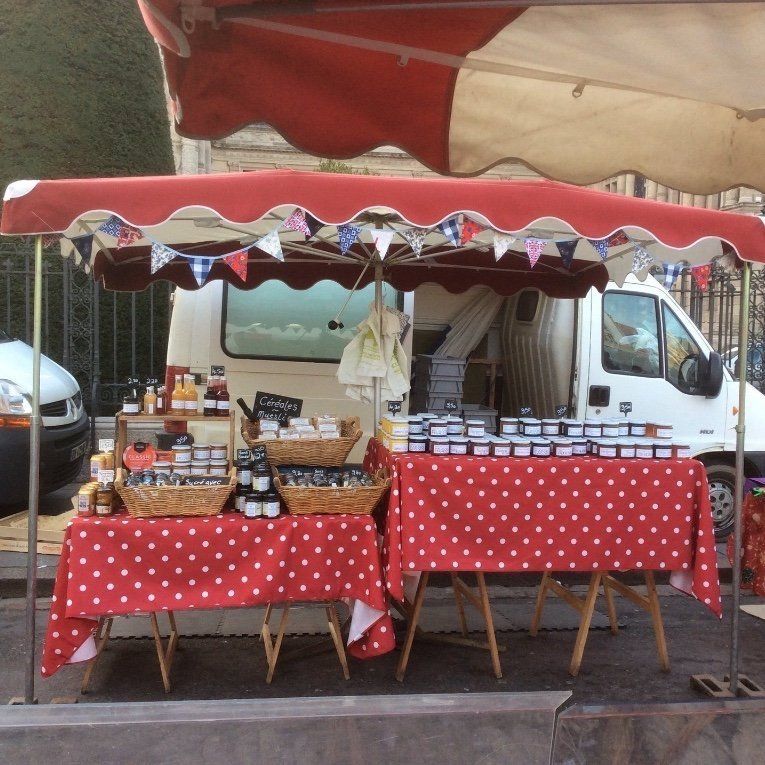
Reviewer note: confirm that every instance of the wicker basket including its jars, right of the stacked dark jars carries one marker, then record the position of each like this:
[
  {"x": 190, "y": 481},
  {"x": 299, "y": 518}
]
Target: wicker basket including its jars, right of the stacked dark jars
[{"x": 320, "y": 493}]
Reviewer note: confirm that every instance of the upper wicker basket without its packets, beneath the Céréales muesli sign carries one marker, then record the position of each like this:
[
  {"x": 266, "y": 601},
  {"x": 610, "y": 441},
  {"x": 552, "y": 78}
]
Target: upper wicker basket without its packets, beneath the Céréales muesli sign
[{"x": 332, "y": 452}]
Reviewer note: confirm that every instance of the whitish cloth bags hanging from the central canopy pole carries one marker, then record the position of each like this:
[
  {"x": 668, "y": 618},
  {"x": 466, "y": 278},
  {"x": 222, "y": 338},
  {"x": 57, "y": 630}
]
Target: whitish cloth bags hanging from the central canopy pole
[{"x": 369, "y": 355}]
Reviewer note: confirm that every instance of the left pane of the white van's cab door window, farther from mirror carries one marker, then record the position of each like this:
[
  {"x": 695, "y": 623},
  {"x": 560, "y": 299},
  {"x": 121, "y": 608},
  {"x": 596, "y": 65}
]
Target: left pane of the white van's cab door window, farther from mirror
[{"x": 630, "y": 334}]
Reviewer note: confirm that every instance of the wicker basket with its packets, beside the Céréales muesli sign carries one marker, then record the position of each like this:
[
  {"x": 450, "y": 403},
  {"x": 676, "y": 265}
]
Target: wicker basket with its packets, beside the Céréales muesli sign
[{"x": 325, "y": 441}]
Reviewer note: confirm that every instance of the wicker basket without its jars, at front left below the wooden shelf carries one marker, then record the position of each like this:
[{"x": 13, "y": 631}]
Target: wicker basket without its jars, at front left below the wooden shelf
[{"x": 175, "y": 501}]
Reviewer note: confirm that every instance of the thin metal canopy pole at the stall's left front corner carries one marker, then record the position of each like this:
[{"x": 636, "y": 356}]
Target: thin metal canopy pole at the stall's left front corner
[{"x": 34, "y": 482}]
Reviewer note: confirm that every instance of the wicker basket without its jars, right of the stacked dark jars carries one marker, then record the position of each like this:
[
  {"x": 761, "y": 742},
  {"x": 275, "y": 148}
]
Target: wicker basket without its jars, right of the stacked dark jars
[{"x": 312, "y": 500}]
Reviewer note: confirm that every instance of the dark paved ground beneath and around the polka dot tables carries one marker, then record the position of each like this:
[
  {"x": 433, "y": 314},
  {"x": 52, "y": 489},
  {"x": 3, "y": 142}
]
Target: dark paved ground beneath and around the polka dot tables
[{"x": 616, "y": 669}]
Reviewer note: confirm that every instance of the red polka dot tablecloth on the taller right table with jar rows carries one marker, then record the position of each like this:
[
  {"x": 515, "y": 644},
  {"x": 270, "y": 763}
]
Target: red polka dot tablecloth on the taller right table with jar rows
[{"x": 554, "y": 514}]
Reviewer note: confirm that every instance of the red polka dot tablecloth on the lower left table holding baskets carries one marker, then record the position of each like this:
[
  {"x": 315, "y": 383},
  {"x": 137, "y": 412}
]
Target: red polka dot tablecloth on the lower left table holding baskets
[{"x": 123, "y": 565}]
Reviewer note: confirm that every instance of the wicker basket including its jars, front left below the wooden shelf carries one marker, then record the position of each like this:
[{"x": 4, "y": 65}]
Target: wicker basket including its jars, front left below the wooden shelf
[{"x": 185, "y": 496}]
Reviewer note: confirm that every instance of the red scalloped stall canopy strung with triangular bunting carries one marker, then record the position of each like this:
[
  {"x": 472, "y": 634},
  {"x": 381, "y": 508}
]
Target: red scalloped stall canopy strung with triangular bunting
[{"x": 302, "y": 227}]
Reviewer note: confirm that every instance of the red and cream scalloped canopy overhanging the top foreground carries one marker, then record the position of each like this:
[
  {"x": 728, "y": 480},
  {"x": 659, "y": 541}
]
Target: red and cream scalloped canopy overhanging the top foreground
[{"x": 577, "y": 92}]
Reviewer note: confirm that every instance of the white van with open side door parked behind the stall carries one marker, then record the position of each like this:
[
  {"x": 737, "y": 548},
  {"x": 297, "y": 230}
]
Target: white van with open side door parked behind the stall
[{"x": 627, "y": 350}]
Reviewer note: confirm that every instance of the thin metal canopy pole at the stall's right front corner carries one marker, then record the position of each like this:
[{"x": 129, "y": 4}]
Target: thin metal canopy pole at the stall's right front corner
[{"x": 743, "y": 354}]
